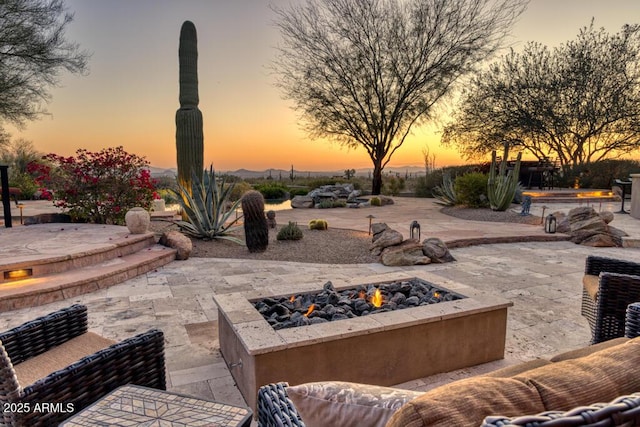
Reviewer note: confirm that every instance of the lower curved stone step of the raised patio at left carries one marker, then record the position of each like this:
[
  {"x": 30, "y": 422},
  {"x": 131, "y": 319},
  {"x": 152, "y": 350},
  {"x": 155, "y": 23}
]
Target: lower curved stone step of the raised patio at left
[{"x": 89, "y": 277}]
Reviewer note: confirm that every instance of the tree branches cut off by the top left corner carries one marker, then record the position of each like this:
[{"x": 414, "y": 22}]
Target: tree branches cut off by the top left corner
[{"x": 33, "y": 52}]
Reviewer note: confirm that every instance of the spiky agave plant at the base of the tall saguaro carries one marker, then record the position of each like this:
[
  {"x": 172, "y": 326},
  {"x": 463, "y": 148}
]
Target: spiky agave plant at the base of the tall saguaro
[{"x": 208, "y": 211}]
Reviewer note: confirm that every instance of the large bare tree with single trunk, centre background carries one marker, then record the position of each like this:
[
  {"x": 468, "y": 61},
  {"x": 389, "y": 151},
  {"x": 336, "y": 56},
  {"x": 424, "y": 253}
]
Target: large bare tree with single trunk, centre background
[{"x": 363, "y": 72}]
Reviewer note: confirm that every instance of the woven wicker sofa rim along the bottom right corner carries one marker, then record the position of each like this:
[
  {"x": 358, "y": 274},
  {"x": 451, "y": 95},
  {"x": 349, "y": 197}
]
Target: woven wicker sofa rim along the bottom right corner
[{"x": 623, "y": 411}]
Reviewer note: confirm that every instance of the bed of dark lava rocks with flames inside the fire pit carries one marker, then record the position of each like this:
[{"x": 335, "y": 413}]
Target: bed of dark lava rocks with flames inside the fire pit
[{"x": 330, "y": 304}]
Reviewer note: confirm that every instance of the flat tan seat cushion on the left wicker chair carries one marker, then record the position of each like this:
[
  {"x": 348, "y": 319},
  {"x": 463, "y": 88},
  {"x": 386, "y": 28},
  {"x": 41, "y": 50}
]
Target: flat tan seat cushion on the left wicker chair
[{"x": 59, "y": 357}]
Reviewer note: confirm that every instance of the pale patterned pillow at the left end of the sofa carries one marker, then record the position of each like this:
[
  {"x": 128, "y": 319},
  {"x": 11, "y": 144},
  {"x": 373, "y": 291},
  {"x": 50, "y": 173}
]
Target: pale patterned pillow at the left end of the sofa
[{"x": 337, "y": 403}]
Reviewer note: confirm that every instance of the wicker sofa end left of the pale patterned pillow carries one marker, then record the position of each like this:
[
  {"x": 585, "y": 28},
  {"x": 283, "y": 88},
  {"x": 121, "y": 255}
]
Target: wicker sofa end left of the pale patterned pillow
[{"x": 275, "y": 409}]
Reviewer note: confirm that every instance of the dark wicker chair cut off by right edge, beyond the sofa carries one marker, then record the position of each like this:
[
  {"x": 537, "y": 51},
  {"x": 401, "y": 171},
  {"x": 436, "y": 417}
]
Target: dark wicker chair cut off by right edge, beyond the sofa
[{"x": 610, "y": 285}]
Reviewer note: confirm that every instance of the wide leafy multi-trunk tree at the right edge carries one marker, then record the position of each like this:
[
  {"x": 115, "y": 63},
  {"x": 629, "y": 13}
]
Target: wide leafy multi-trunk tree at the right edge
[{"x": 579, "y": 102}]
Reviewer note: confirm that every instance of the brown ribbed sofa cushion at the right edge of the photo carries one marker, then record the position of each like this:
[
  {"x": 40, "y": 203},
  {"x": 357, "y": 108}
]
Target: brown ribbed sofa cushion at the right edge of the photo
[{"x": 601, "y": 376}]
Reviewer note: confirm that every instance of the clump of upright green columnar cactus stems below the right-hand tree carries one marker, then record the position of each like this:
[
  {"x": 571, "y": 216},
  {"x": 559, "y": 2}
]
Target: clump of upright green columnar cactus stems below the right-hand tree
[{"x": 501, "y": 188}]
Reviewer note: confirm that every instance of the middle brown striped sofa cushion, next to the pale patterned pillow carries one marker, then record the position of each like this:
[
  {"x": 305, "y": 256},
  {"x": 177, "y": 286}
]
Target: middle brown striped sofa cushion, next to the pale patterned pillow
[{"x": 467, "y": 402}]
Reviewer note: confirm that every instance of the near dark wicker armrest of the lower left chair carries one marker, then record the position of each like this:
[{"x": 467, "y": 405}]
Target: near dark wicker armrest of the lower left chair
[{"x": 136, "y": 360}]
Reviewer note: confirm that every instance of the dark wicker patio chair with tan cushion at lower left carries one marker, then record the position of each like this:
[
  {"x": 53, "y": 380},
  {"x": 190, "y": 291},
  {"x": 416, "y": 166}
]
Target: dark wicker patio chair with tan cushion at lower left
[{"x": 25, "y": 352}]
